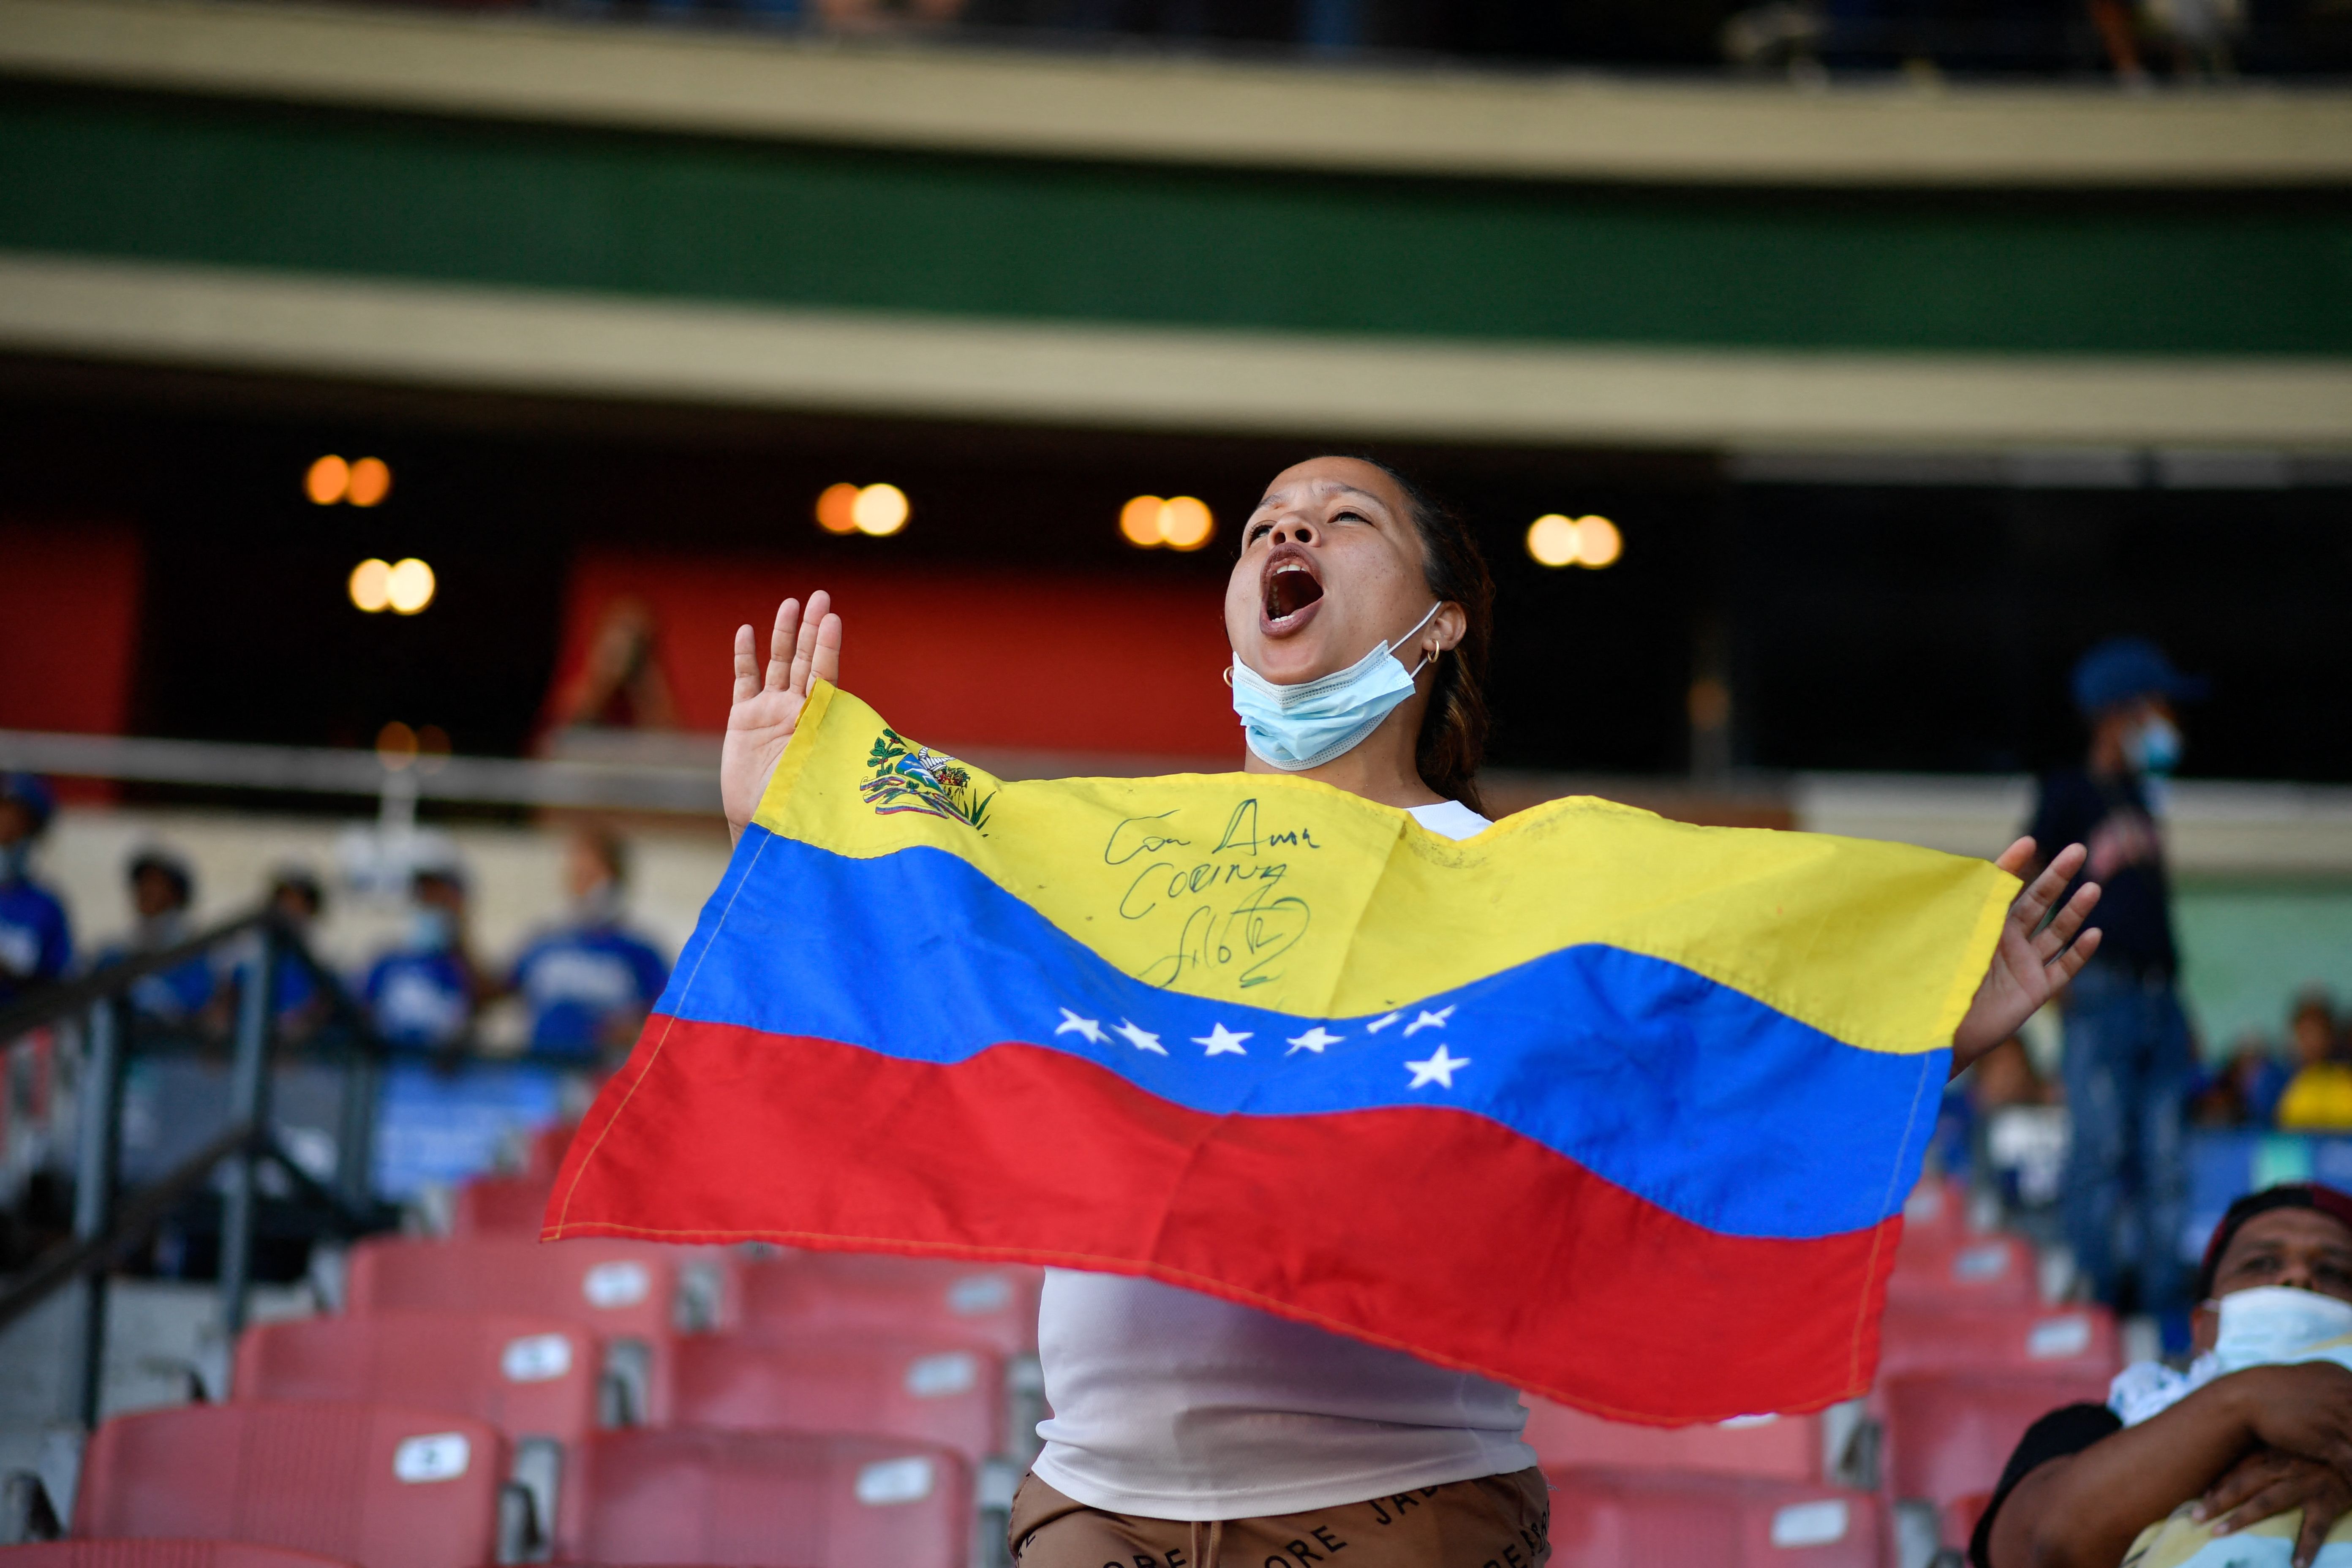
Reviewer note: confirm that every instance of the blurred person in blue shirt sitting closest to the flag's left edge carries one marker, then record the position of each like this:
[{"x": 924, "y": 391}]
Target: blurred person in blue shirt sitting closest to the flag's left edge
[{"x": 592, "y": 981}]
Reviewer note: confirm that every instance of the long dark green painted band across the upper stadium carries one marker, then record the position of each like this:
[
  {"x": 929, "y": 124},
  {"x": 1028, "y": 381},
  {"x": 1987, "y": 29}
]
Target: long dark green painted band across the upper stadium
[{"x": 697, "y": 220}]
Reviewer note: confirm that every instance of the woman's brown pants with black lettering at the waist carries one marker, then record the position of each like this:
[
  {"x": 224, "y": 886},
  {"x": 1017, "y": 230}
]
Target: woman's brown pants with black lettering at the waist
[{"x": 1502, "y": 1522}]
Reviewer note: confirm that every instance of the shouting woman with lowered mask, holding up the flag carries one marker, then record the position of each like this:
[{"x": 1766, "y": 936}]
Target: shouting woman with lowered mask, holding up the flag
[{"x": 1198, "y": 1433}]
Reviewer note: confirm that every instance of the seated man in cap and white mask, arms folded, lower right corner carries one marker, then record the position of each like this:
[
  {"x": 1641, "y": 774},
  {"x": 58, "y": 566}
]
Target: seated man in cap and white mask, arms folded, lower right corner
[{"x": 2254, "y": 1433}]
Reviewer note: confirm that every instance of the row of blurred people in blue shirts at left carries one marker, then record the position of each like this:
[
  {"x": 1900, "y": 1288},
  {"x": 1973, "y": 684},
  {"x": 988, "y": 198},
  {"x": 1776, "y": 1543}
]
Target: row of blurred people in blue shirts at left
[{"x": 587, "y": 981}]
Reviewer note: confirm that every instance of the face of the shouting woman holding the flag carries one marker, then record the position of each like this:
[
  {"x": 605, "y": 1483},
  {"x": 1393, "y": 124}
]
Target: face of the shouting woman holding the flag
[{"x": 1330, "y": 570}]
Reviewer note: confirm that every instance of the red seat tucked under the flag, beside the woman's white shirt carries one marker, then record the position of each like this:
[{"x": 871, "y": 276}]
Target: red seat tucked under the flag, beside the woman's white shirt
[{"x": 914, "y": 1299}]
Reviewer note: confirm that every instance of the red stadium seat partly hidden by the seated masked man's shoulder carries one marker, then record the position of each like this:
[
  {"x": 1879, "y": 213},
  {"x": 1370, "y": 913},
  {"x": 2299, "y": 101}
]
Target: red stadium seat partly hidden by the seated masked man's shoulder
[{"x": 1951, "y": 1433}]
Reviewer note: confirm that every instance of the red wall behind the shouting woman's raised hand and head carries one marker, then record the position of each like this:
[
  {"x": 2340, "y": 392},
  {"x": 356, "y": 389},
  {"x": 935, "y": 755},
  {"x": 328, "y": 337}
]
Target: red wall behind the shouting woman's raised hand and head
[{"x": 956, "y": 659}]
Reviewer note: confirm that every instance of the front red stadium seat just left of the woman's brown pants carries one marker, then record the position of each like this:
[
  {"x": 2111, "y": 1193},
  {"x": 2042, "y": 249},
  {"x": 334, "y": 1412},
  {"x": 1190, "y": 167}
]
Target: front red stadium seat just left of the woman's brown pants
[{"x": 773, "y": 1501}]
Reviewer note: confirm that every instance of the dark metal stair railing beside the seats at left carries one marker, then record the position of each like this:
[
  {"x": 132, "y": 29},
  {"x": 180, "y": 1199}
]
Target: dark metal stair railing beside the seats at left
[{"x": 109, "y": 1221}]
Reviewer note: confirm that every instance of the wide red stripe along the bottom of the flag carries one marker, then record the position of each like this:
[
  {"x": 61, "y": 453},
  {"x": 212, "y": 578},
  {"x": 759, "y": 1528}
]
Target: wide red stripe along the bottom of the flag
[{"x": 1431, "y": 1231}]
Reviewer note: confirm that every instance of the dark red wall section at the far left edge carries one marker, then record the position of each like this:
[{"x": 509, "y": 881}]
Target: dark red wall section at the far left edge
[{"x": 69, "y": 624}]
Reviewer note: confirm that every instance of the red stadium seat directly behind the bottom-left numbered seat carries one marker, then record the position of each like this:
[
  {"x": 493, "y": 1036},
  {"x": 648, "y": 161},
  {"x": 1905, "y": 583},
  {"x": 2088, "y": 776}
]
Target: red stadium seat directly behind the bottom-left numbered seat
[{"x": 528, "y": 1376}]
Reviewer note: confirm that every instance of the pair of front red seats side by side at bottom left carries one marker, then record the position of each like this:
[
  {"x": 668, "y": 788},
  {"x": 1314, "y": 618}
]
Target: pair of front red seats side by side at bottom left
[{"x": 382, "y": 1487}]
